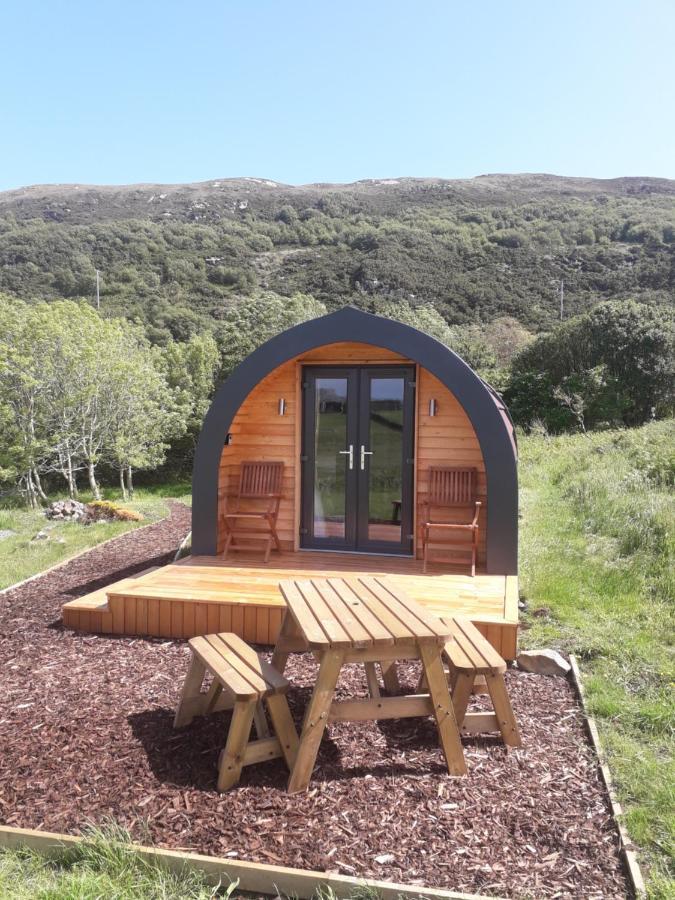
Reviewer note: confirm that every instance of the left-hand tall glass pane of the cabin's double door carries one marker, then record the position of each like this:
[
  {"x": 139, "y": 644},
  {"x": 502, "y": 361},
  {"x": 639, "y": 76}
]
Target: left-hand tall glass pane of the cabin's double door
[{"x": 330, "y": 466}]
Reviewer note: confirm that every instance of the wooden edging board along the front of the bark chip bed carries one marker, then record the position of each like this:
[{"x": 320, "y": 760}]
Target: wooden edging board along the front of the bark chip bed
[{"x": 253, "y": 877}]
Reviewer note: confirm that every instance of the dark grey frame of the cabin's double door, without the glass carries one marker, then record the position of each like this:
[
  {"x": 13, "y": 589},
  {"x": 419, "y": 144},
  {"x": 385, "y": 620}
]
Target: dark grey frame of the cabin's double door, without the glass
[{"x": 357, "y": 479}]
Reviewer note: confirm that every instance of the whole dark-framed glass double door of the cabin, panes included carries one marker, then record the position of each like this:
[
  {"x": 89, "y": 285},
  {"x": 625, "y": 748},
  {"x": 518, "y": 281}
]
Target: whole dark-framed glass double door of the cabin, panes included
[{"x": 357, "y": 456}]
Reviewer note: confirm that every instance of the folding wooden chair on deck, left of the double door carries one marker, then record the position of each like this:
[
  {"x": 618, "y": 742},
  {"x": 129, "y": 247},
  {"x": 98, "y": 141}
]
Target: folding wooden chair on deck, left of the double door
[{"x": 256, "y": 501}]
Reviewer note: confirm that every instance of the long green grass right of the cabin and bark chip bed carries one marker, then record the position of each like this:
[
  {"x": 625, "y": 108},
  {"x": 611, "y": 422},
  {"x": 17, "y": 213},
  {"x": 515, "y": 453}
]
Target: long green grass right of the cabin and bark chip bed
[{"x": 598, "y": 547}]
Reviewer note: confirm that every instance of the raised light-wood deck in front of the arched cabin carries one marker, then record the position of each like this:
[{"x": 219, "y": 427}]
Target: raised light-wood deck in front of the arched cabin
[{"x": 199, "y": 595}]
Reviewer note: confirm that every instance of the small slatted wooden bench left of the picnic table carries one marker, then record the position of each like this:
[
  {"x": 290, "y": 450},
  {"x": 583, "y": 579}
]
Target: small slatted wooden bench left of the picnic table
[{"x": 242, "y": 680}]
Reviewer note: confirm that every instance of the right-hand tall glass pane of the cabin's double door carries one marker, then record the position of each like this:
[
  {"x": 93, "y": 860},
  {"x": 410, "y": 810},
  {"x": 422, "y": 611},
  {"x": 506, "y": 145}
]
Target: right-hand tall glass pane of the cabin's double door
[{"x": 386, "y": 443}]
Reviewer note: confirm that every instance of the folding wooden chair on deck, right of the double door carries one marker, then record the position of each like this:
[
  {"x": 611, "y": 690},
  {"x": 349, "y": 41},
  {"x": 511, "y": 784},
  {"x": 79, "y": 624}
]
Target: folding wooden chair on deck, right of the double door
[{"x": 450, "y": 489}]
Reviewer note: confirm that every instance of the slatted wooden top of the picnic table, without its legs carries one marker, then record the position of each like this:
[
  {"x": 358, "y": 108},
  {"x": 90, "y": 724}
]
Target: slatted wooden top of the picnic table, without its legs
[{"x": 360, "y": 612}]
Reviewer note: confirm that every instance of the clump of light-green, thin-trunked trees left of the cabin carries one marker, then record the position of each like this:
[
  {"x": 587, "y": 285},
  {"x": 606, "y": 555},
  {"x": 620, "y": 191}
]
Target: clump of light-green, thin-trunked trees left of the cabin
[{"x": 76, "y": 390}]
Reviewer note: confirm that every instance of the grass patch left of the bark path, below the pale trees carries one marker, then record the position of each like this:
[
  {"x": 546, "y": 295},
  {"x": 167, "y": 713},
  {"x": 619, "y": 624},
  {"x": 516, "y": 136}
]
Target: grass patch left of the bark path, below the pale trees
[{"x": 20, "y": 557}]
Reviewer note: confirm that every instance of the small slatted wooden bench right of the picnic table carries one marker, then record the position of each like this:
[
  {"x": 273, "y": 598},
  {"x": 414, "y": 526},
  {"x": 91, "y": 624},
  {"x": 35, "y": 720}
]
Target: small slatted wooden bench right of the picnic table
[{"x": 470, "y": 656}]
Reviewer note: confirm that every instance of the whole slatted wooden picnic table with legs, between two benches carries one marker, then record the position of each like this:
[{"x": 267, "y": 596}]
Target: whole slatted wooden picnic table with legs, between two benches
[{"x": 363, "y": 620}]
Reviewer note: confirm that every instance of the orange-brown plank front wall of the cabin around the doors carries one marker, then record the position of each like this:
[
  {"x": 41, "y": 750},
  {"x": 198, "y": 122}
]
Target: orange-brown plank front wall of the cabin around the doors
[{"x": 259, "y": 432}]
